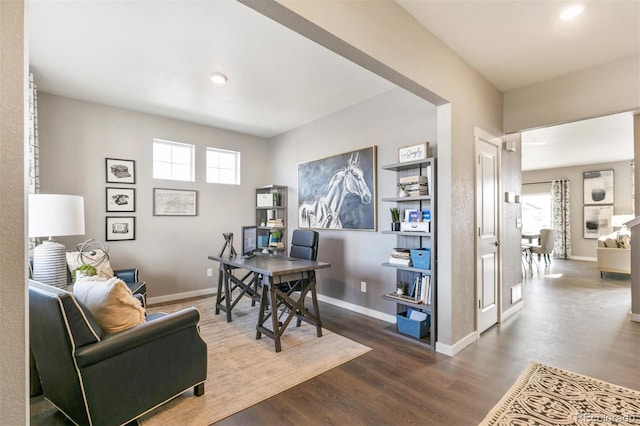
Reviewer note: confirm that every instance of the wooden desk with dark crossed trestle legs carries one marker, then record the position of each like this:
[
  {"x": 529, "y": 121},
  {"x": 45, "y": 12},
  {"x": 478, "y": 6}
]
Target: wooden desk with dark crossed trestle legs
[{"x": 269, "y": 271}]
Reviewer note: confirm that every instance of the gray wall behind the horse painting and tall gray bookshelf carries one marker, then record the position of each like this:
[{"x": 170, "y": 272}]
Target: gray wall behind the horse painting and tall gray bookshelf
[{"x": 389, "y": 121}]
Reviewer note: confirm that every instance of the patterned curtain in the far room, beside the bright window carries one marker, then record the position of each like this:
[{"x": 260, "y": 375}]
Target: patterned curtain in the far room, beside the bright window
[{"x": 561, "y": 217}]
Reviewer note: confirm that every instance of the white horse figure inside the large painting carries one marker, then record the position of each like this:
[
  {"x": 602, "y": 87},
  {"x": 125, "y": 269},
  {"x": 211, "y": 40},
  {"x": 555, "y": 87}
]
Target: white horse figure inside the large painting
[{"x": 324, "y": 210}]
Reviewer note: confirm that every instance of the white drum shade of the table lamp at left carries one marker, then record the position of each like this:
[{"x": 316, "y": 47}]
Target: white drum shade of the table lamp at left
[{"x": 55, "y": 215}]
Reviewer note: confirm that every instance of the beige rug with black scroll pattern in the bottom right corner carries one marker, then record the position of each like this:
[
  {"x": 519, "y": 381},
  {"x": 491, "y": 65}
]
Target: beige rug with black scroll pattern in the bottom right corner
[{"x": 545, "y": 395}]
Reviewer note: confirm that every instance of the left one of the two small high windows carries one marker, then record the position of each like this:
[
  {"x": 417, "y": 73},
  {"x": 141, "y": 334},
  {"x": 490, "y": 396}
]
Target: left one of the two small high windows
[{"x": 173, "y": 160}]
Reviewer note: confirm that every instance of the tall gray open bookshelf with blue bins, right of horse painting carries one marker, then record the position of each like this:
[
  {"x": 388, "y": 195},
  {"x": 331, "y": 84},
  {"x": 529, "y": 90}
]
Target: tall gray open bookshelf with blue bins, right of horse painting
[{"x": 414, "y": 240}]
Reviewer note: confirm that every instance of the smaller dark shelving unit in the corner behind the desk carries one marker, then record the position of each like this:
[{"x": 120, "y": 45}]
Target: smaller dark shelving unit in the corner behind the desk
[{"x": 271, "y": 207}]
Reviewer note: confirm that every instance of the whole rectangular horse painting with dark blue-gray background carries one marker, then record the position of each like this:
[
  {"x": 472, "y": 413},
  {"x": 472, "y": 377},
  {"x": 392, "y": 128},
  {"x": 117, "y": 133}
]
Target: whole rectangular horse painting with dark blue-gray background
[{"x": 349, "y": 177}]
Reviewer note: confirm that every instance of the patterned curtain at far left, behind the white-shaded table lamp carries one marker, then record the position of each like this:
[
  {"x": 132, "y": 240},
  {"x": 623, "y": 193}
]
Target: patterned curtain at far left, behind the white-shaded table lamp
[{"x": 32, "y": 148}]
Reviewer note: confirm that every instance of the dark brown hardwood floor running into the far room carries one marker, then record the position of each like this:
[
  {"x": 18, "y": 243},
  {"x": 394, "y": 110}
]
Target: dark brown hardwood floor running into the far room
[{"x": 572, "y": 319}]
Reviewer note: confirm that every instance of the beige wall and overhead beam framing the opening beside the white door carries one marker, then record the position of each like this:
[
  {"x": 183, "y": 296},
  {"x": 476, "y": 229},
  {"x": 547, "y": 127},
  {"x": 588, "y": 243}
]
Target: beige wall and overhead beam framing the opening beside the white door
[{"x": 409, "y": 55}]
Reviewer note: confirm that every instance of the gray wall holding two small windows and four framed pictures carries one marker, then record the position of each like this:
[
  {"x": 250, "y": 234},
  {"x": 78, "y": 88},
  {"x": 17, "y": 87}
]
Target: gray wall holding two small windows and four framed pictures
[{"x": 171, "y": 252}]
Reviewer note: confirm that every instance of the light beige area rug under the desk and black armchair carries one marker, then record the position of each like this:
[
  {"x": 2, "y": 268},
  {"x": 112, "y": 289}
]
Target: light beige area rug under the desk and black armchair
[{"x": 242, "y": 371}]
